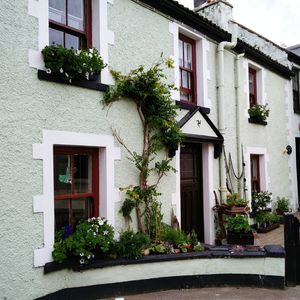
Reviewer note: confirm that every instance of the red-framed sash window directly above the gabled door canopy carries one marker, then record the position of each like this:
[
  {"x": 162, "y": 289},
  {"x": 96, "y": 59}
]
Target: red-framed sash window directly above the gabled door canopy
[{"x": 187, "y": 69}]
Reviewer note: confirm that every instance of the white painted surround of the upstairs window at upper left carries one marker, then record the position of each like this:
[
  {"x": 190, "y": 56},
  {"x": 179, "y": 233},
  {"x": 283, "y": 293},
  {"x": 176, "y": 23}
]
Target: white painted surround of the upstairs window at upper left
[{"x": 102, "y": 37}]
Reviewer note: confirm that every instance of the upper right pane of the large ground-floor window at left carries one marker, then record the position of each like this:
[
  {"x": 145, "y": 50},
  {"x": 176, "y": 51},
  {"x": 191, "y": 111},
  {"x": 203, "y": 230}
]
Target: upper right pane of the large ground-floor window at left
[{"x": 83, "y": 173}]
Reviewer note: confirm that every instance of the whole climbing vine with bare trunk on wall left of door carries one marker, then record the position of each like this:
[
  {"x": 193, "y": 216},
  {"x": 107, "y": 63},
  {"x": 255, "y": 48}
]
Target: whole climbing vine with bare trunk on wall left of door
[{"x": 151, "y": 94}]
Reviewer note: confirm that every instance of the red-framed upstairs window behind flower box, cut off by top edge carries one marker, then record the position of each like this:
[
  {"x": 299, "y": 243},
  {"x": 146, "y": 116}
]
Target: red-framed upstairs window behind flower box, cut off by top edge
[{"x": 70, "y": 23}]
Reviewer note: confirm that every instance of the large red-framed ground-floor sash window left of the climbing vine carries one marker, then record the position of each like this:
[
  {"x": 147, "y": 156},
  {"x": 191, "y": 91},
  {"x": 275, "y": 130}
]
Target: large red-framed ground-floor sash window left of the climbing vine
[{"x": 76, "y": 185}]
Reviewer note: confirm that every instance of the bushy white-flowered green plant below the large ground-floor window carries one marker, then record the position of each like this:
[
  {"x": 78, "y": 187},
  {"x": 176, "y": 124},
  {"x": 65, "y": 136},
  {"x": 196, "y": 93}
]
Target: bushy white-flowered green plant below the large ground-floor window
[{"x": 91, "y": 237}]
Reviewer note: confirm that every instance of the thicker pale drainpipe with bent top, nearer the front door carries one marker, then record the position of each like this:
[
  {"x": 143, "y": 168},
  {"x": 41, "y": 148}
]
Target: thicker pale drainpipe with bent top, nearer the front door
[{"x": 221, "y": 101}]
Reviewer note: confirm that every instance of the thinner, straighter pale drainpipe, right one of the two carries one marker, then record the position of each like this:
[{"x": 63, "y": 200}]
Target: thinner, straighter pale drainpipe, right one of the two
[{"x": 238, "y": 131}]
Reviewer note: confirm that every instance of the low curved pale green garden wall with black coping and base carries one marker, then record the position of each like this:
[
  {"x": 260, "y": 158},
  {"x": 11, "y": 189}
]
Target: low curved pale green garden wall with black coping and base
[{"x": 219, "y": 266}]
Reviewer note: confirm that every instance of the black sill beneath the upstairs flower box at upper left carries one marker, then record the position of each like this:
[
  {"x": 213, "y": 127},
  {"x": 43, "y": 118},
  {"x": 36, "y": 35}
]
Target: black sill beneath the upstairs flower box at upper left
[{"x": 93, "y": 85}]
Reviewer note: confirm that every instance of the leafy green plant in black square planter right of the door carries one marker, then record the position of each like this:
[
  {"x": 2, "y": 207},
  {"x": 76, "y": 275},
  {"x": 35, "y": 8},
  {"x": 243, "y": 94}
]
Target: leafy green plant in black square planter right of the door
[{"x": 239, "y": 230}]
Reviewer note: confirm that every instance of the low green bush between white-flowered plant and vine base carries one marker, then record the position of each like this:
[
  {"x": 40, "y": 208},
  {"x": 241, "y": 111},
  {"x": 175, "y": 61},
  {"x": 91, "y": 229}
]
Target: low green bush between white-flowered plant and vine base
[{"x": 131, "y": 244}]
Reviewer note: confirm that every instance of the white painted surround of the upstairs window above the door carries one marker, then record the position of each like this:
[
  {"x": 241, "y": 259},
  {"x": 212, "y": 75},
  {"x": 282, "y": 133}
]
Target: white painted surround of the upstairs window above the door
[{"x": 202, "y": 70}]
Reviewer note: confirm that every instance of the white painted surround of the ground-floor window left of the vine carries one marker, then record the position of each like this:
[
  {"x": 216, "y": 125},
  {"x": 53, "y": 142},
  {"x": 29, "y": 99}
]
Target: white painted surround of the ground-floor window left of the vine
[{"x": 44, "y": 203}]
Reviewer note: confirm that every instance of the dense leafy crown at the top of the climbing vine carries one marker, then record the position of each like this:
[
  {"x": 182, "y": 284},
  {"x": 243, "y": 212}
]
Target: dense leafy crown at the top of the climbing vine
[{"x": 147, "y": 88}]
